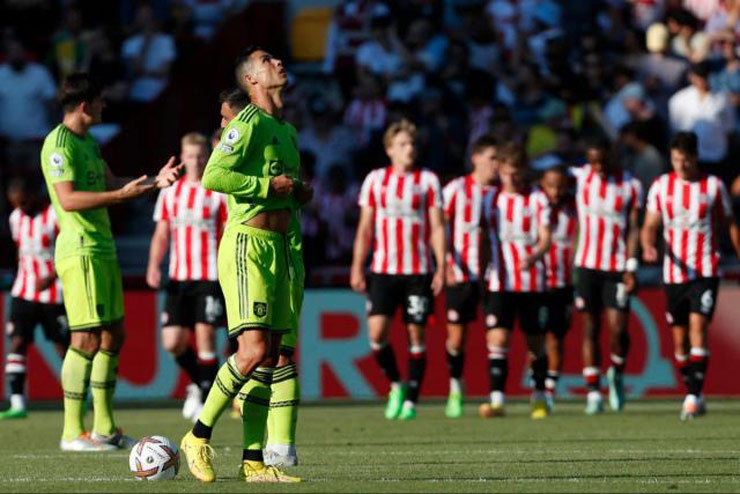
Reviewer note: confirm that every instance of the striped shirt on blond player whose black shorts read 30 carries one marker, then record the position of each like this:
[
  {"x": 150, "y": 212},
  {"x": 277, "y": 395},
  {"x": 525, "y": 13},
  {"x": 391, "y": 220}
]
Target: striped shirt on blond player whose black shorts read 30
[{"x": 401, "y": 203}]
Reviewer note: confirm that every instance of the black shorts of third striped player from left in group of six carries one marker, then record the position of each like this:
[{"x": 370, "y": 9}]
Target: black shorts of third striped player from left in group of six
[{"x": 503, "y": 308}]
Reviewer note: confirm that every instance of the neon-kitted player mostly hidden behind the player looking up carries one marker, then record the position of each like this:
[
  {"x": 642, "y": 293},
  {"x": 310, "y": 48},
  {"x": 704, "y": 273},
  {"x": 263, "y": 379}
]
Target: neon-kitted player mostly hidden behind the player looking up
[{"x": 283, "y": 415}]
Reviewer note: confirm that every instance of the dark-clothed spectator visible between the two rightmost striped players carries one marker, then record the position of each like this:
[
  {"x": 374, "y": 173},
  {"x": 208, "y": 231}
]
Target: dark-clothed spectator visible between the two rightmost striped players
[{"x": 641, "y": 158}]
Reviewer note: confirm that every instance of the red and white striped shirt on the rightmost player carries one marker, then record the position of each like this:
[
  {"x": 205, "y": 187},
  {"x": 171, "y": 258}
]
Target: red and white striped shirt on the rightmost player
[{"x": 690, "y": 211}]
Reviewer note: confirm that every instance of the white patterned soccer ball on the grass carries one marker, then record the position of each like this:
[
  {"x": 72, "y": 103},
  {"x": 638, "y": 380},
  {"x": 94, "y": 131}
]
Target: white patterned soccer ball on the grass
[{"x": 154, "y": 458}]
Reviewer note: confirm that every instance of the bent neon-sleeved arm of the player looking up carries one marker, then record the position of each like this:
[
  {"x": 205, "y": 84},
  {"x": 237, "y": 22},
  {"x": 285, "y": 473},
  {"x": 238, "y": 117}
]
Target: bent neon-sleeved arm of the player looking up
[{"x": 221, "y": 173}]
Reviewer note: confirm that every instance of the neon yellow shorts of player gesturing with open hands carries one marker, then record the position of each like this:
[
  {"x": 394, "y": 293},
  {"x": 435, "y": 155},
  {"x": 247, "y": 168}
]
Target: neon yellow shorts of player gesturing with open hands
[{"x": 93, "y": 291}]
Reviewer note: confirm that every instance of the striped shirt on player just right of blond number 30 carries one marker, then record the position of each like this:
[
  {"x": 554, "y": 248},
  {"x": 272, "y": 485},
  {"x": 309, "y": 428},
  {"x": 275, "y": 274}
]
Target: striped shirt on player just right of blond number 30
[{"x": 463, "y": 199}]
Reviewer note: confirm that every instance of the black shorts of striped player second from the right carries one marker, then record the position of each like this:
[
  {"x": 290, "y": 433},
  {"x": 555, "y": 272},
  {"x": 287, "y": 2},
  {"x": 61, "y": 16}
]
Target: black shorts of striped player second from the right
[{"x": 598, "y": 290}]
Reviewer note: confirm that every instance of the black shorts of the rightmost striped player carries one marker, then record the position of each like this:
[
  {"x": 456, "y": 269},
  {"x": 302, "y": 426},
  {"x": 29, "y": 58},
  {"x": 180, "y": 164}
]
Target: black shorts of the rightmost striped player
[{"x": 697, "y": 296}]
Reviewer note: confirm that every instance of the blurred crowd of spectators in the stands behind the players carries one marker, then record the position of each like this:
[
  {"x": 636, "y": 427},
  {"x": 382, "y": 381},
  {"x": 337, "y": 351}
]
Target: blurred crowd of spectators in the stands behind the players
[{"x": 546, "y": 73}]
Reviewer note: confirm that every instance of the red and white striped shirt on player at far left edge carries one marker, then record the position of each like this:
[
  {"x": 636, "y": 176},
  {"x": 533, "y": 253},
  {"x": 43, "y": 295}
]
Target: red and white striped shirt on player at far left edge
[{"x": 34, "y": 236}]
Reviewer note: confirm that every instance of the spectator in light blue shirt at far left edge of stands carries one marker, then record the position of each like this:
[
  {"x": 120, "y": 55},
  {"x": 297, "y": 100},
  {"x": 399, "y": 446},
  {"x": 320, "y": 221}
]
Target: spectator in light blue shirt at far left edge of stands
[{"x": 27, "y": 92}]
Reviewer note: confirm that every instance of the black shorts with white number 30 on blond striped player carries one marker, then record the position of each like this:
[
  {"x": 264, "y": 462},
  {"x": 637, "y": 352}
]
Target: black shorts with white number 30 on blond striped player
[{"x": 386, "y": 292}]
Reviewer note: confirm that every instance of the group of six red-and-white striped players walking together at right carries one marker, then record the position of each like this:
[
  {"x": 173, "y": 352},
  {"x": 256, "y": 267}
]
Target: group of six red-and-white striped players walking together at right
[{"x": 531, "y": 250}]
